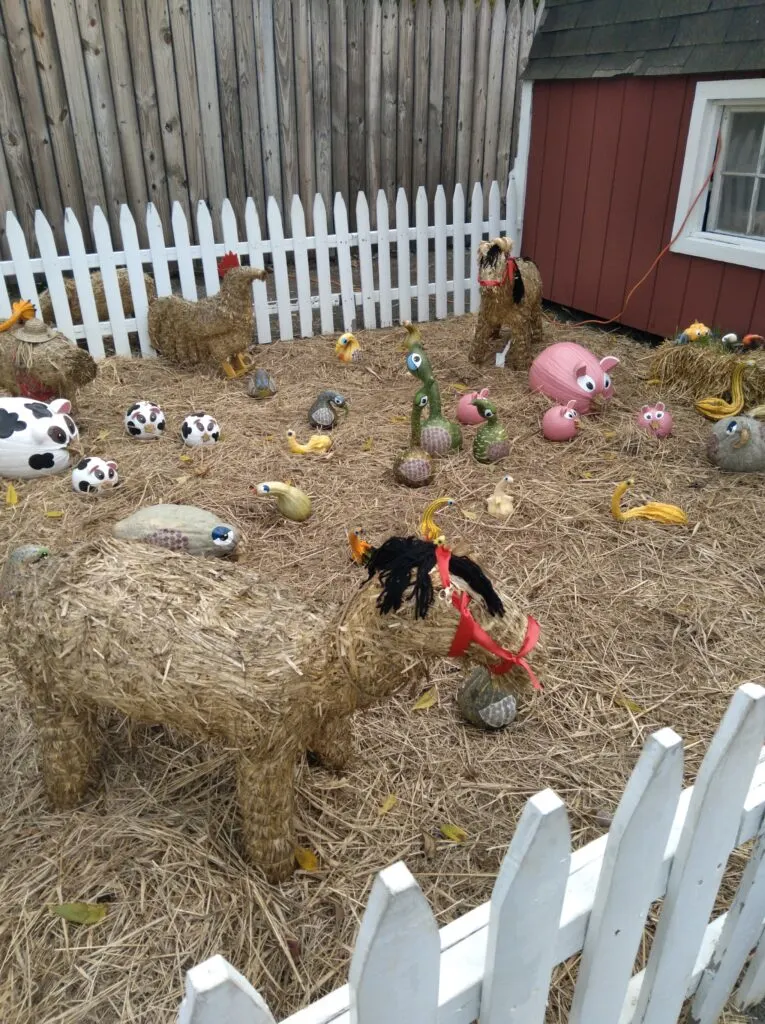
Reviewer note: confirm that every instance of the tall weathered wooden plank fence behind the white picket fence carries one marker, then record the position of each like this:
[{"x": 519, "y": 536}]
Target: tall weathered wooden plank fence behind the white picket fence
[{"x": 165, "y": 102}]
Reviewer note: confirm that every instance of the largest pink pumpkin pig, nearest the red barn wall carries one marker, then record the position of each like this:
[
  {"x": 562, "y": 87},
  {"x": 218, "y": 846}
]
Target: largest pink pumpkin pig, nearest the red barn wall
[{"x": 567, "y": 372}]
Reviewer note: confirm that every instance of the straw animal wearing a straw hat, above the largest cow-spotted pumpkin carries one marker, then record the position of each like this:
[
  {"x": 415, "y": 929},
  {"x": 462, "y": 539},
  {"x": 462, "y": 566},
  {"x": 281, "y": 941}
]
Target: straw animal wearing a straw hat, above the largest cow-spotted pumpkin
[{"x": 39, "y": 363}]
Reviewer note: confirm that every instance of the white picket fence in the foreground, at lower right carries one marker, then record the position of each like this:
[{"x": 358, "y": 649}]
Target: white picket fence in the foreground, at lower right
[{"x": 495, "y": 963}]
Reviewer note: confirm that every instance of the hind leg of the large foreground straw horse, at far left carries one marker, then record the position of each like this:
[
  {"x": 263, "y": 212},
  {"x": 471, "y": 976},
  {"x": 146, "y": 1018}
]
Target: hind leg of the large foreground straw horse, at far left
[{"x": 69, "y": 749}]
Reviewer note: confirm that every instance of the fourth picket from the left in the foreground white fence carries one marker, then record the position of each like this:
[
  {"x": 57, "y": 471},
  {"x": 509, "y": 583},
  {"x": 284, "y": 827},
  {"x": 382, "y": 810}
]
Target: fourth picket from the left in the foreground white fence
[{"x": 632, "y": 864}]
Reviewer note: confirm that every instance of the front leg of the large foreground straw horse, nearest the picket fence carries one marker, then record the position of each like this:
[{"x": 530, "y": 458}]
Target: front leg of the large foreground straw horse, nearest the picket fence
[{"x": 267, "y": 798}]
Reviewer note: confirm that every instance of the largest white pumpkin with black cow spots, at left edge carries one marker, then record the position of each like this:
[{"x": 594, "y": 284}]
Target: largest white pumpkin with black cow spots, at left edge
[{"x": 34, "y": 438}]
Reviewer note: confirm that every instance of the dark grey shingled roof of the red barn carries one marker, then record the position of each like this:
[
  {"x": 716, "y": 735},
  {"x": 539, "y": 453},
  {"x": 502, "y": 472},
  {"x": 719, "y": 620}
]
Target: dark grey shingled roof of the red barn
[{"x": 604, "y": 38}]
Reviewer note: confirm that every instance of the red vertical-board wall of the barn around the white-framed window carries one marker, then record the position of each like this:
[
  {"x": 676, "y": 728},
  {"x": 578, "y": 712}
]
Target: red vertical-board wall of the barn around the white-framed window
[{"x": 605, "y": 170}]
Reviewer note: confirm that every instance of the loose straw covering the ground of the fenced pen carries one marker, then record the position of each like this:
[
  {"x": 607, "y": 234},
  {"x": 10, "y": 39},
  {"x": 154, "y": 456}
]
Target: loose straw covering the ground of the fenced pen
[{"x": 645, "y": 626}]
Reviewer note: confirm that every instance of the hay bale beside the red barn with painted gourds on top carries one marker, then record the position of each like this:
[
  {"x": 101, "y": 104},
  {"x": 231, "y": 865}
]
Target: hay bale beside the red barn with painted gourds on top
[{"x": 697, "y": 371}]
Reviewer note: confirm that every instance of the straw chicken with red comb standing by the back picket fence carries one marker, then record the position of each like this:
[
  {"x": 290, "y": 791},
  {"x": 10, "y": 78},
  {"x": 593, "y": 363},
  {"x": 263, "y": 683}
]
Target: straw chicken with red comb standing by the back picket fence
[{"x": 210, "y": 331}]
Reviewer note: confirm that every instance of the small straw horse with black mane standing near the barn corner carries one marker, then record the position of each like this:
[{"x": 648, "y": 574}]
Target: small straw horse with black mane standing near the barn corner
[{"x": 511, "y": 296}]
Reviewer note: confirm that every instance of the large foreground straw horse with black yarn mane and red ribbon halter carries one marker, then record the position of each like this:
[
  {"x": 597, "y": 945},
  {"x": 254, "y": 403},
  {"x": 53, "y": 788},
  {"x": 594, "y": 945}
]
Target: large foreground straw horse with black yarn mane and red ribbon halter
[{"x": 224, "y": 655}]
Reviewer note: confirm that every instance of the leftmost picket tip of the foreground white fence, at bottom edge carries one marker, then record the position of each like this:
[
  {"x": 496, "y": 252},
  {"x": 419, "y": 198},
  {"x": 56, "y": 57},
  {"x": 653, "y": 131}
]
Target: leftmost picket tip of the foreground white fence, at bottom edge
[{"x": 216, "y": 994}]
